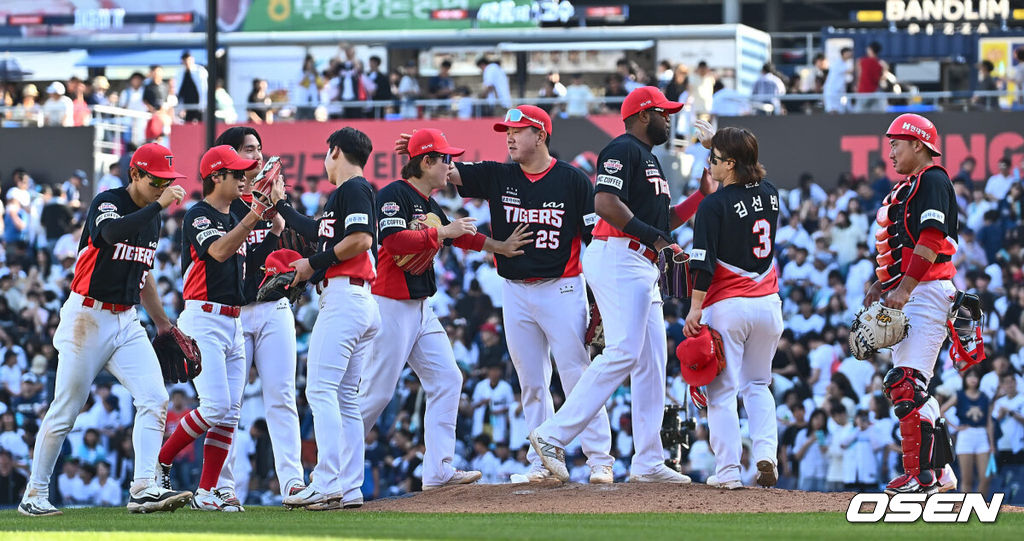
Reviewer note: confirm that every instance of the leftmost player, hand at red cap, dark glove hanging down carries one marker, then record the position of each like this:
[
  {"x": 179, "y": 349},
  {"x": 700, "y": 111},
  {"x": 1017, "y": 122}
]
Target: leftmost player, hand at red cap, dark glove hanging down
[{"x": 100, "y": 328}]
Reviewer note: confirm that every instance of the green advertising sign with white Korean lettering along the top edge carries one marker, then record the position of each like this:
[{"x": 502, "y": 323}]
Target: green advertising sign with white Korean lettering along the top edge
[{"x": 278, "y": 16}]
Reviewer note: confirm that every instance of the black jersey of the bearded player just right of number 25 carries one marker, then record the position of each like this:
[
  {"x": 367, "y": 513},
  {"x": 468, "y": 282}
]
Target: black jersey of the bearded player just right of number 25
[{"x": 627, "y": 169}]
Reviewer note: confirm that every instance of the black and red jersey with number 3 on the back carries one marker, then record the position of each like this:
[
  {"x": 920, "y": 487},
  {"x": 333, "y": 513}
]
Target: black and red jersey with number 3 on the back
[{"x": 735, "y": 241}]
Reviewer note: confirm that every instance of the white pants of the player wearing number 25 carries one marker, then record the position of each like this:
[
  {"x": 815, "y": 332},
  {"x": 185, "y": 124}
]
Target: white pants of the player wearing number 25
[{"x": 544, "y": 319}]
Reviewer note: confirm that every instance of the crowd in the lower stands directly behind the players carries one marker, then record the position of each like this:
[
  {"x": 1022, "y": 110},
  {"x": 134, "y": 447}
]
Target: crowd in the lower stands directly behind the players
[{"x": 837, "y": 430}]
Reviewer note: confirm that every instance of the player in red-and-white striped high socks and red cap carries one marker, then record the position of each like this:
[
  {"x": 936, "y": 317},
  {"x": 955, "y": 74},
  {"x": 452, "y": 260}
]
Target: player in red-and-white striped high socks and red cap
[{"x": 214, "y": 257}]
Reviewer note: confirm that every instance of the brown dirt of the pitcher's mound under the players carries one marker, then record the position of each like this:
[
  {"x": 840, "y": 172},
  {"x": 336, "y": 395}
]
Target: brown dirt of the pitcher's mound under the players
[{"x": 552, "y": 496}]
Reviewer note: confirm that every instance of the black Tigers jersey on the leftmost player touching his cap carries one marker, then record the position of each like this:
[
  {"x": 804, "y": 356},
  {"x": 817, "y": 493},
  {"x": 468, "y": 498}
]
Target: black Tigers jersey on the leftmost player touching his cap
[{"x": 111, "y": 273}]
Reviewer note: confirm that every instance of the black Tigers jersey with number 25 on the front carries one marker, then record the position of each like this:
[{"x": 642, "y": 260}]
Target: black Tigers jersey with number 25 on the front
[{"x": 559, "y": 205}]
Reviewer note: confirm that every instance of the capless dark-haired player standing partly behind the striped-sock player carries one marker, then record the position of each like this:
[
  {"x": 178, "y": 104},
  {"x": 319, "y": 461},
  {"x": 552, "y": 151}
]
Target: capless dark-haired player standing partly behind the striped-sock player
[{"x": 269, "y": 330}]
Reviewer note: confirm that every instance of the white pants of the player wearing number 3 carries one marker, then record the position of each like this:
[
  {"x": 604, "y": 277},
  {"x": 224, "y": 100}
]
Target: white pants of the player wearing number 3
[{"x": 751, "y": 328}]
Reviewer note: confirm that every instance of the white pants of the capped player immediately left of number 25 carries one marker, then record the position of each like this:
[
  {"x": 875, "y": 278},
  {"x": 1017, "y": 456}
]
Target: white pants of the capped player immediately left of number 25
[{"x": 410, "y": 332}]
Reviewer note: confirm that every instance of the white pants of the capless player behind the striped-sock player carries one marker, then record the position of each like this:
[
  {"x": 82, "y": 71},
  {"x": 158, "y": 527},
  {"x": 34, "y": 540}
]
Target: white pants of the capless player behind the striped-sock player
[{"x": 269, "y": 330}]
